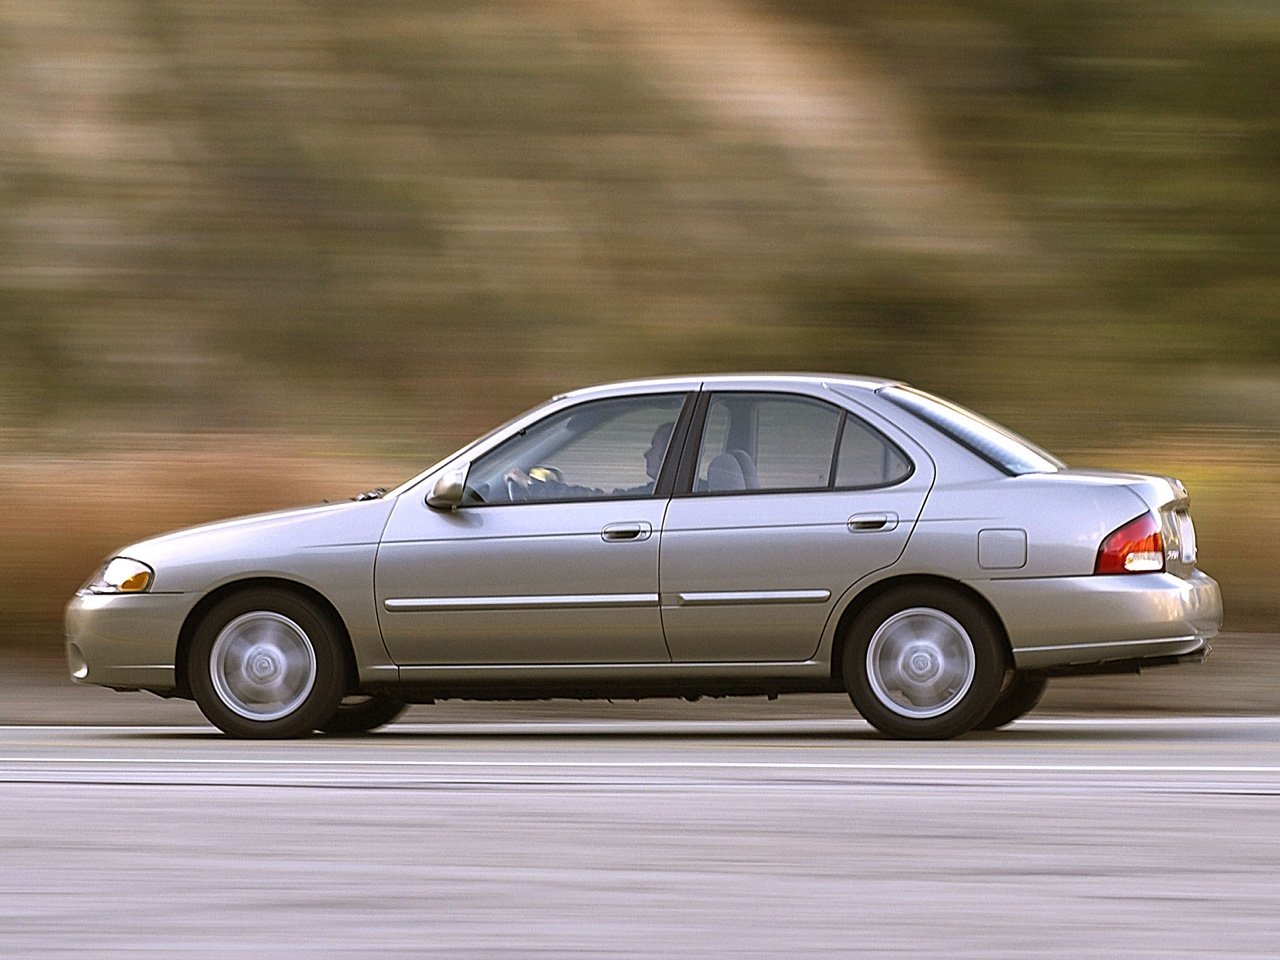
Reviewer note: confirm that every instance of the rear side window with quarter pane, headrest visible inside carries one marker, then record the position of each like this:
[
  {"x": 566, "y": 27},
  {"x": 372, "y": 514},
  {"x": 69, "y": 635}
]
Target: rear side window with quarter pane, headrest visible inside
[{"x": 772, "y": 442}]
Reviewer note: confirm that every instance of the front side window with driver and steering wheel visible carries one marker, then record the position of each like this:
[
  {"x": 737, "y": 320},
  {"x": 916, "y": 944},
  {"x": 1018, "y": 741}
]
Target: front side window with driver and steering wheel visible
[{"x": 611, "y": 449}]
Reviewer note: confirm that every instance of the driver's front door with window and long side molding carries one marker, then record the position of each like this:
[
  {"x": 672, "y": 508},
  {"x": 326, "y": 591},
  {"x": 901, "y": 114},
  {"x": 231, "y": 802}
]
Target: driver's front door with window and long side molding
[{"x": 552, "y": 559}]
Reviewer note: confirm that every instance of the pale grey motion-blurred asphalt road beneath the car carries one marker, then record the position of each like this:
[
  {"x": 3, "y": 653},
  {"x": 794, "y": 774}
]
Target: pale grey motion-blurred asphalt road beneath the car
[{"x": 1060, "y": 838}]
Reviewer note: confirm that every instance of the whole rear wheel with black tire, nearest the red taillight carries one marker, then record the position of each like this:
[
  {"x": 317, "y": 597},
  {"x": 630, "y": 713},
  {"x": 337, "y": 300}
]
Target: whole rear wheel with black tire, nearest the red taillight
[{"x": 925, "y": 664}]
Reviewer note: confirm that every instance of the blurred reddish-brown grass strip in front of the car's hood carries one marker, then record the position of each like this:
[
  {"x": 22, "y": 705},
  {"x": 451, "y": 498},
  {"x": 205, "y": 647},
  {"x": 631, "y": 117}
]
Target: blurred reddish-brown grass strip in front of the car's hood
[{"x": 63, "y": 515}]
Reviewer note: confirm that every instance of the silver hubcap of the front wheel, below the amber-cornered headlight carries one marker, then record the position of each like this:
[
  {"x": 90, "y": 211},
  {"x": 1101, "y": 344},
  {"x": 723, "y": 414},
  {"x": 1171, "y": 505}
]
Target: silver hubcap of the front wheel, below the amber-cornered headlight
[{"x": 263, "y": 666}]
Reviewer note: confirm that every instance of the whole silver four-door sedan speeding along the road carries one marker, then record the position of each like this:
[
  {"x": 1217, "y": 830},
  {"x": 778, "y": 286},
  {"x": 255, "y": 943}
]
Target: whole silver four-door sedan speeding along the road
[{"x": 685, "y": 537}]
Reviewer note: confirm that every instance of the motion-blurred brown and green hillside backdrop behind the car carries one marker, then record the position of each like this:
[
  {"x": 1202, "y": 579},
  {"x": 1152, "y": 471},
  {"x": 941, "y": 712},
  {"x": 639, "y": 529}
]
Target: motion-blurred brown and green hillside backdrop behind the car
[{"x": 264, "y": 253}]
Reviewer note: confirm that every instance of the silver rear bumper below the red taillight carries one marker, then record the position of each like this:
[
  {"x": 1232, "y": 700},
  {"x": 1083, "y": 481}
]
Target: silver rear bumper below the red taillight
[{"x": 1076, "y": 621}]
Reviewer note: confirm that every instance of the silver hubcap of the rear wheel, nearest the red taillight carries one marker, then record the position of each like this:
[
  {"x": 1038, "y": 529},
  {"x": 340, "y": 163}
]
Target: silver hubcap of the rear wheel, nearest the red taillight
[{"x": 921, "y": 662}]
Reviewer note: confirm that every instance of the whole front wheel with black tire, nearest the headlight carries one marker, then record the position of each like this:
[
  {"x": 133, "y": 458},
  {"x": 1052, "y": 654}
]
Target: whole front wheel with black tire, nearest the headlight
[{"x": 267, "y": 665}]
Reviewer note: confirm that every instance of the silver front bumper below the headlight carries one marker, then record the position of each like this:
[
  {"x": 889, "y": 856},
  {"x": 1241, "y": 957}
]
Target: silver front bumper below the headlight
[{"x": 127, "y": 642}]
